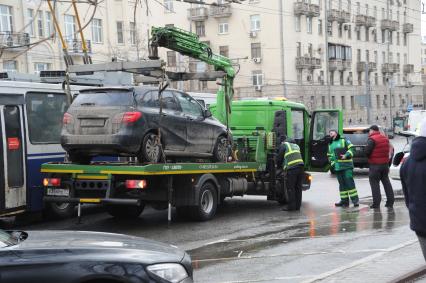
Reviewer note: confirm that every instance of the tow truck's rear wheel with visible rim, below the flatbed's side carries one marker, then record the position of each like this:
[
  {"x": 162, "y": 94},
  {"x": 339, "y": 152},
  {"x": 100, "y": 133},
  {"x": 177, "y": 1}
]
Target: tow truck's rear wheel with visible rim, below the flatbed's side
[{"x": 207, "y": 203}]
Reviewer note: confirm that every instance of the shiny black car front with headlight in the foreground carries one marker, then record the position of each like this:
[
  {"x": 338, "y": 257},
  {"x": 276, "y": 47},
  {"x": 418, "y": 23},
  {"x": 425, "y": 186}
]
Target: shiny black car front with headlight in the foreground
[{"x": 73, "y": 256}]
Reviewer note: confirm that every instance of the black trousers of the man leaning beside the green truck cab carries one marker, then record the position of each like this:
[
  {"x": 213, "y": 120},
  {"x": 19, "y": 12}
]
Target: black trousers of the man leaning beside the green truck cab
[{"x": 294, "y": 183}]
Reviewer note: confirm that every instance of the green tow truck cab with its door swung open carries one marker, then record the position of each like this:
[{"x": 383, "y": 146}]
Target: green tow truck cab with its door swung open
[{"x": 279, "y": 118}]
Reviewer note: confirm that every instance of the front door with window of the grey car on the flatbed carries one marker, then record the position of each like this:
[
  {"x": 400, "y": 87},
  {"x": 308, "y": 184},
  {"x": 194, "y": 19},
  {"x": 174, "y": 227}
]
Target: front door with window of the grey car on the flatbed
[{"x": 199, "y": 132}]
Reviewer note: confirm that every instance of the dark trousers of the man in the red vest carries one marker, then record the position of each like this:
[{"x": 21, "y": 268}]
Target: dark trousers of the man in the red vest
[{"x": 380, "y": 173}]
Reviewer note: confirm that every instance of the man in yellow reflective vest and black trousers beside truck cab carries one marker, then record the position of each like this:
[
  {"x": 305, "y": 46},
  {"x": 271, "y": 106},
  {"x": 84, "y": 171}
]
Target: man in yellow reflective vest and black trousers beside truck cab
[{"x": 291, "y": 160}]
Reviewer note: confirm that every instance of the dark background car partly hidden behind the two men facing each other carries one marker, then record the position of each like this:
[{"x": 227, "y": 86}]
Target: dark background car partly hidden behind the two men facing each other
[{"x": 358, "y": 135}]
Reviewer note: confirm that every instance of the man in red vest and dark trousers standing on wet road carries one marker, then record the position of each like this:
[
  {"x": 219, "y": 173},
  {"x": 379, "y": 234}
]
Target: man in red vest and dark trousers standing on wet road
[{"x": 377, "y": 150}]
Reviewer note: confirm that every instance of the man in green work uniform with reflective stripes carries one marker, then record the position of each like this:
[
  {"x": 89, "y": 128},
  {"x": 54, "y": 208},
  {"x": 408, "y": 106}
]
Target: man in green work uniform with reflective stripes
[{"x": 340, "y": 153}]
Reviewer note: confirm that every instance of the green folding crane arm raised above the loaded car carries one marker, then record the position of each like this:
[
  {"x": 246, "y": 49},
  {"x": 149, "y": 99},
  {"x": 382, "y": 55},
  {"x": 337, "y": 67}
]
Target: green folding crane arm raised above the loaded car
[{"x": 189, "y": 44}]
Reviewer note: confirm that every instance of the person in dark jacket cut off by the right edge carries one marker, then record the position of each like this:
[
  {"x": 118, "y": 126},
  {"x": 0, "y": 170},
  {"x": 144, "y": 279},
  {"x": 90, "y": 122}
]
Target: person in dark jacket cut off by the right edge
[{"x": 413, "y": 179}]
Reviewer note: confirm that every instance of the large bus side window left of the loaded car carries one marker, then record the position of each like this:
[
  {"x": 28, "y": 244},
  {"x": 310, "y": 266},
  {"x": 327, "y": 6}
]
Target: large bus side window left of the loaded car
[{"x": 44, "y": 113}]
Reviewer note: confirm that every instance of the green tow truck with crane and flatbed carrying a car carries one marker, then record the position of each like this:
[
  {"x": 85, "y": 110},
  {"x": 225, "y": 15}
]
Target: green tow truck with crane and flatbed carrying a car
[{"x": 197, "y": 188}]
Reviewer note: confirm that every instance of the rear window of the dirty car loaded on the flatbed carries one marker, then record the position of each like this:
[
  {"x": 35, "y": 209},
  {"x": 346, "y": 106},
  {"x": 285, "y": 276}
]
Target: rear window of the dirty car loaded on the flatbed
[{"x": 104, "y": 98}]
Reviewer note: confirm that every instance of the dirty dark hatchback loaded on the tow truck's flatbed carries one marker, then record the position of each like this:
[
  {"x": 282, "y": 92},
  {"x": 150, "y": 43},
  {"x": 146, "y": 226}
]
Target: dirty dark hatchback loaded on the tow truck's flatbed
[{"x": 125, "y": 122}]
